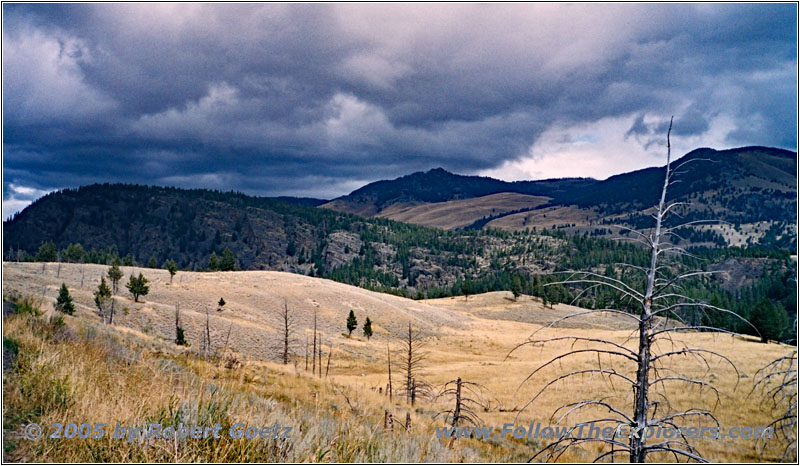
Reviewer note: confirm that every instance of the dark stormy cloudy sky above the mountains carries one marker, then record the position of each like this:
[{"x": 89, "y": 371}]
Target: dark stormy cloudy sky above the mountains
[{"x": 319, "y": 99}]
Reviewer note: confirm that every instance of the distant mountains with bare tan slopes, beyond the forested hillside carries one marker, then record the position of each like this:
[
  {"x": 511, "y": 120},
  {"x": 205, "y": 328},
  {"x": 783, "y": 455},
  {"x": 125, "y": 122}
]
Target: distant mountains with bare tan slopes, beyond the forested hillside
[{"x": 754, "y": 189}]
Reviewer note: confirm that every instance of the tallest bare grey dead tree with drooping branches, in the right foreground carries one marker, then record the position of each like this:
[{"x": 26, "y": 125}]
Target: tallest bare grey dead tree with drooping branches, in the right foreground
[{"x": 643, "y": 370}]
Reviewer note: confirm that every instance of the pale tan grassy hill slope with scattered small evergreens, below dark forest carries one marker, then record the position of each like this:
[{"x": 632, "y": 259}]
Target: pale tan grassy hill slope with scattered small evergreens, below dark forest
[{"x": 254, "y": 301}]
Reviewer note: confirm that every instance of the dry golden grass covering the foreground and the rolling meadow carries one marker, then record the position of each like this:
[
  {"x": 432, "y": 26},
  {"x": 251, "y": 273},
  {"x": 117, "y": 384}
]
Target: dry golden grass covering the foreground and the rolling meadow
[{"x": 122, "y": 373}]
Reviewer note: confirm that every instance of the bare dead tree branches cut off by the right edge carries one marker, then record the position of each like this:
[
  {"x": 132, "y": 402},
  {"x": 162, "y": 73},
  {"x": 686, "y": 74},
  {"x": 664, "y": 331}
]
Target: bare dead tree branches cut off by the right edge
[{"x": 777, "y": 382}]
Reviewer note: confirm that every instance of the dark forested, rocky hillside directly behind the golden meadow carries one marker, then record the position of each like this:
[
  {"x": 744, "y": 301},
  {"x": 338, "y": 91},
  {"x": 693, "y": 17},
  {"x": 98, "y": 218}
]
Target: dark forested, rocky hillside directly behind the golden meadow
[{"x": 208, "y": 230}]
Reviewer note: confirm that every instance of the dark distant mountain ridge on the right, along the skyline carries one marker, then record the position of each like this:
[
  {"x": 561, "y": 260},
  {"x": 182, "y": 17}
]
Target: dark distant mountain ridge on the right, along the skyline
[{"x": 746, "y": 185}]
